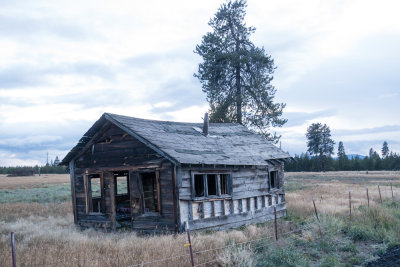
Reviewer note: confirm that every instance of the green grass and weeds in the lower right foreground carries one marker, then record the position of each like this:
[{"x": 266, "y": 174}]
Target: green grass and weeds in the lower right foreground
[{"x": 335, "y": 241}]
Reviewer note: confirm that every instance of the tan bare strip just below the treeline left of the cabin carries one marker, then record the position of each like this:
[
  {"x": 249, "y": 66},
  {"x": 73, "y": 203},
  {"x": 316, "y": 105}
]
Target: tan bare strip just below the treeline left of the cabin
[{"x": 23, "y": 182}]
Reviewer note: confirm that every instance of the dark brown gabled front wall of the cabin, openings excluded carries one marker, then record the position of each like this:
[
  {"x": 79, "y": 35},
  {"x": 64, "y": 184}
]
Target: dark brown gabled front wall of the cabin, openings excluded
[{"x": 114, "y": 150}]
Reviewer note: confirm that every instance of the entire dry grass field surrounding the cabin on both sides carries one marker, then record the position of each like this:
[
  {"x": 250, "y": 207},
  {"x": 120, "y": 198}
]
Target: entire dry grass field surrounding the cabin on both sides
[{"x": 46, "y": 235}]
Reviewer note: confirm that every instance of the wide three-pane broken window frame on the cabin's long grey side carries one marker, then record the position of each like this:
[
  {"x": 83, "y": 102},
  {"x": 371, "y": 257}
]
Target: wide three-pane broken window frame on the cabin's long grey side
[{"x": 205, "y": 181}]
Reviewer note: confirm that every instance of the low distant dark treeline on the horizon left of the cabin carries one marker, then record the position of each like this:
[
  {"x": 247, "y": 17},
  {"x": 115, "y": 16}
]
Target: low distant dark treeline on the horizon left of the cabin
[{"x": 29, "y": 171}]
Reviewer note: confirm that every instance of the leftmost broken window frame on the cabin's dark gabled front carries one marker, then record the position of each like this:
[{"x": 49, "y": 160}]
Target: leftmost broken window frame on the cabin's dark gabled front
[{"x": 88, "y": 194}]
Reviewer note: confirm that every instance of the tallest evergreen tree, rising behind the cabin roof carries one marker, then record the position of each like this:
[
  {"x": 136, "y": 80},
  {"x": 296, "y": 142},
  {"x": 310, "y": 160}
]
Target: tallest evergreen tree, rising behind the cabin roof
[{"x": 237, "y": 75}]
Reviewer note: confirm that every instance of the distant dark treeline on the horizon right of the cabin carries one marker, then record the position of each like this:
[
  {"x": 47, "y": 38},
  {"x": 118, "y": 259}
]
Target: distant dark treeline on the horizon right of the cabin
[{"x": 373, "y": 162}]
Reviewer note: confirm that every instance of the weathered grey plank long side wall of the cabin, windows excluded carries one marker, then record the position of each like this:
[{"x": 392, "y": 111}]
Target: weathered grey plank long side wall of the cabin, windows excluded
[{"x": 251, "y": 200}]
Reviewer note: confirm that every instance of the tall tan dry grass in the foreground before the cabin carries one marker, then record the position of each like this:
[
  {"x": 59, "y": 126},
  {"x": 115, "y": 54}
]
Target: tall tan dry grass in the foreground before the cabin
[{"x": 54, "y": 241}]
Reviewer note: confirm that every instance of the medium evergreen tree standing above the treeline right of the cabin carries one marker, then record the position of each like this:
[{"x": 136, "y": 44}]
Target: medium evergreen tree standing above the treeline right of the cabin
[{"x": 320, "y": 143}]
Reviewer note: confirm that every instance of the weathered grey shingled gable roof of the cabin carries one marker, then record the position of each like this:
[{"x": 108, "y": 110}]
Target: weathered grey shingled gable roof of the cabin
[{"x": 184, "y": 143}]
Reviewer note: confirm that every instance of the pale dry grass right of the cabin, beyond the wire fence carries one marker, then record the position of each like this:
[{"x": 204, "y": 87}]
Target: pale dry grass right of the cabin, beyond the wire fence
[{"x": 331, "y": 190}]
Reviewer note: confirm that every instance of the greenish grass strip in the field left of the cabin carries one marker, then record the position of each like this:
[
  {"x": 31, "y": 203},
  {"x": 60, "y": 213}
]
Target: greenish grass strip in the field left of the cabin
[{"x": 51, "y": 193}]
